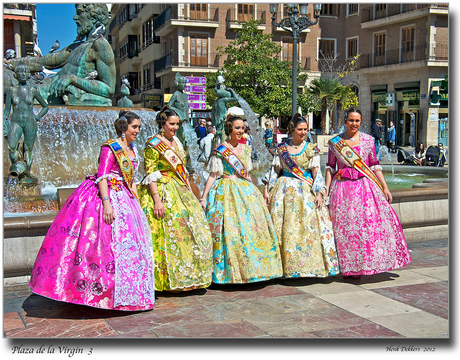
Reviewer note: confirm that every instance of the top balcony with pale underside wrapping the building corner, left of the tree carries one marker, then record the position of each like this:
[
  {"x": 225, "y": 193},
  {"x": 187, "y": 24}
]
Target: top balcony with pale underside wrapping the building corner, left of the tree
[{"x": 169, "y": 18}]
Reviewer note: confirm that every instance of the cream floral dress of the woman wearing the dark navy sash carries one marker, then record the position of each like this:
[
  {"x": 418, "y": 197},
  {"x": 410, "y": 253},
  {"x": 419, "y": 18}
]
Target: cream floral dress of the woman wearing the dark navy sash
[{"x": 305, "y": 232}]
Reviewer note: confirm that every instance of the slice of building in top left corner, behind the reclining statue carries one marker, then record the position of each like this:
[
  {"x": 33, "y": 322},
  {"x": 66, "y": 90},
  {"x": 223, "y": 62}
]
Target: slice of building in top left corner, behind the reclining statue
[{"x": 19, "y": 28}]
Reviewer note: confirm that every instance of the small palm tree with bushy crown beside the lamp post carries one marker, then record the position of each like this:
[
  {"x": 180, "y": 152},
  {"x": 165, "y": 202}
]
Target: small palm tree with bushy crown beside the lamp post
[{"x": 327, "y": 91}]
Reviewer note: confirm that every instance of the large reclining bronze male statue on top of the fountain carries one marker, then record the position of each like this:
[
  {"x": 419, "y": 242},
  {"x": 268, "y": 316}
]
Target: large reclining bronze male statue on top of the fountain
[{"x": 89, "y": 54}]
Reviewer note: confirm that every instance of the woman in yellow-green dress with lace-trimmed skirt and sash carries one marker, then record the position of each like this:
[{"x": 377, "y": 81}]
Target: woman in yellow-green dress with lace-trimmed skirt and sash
[{"x": 181, "y": 237}]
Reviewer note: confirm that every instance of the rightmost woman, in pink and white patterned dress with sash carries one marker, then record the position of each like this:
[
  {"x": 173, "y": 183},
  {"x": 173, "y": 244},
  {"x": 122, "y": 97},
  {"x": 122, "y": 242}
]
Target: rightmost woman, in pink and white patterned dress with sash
[{"x": 369, "y": 236}]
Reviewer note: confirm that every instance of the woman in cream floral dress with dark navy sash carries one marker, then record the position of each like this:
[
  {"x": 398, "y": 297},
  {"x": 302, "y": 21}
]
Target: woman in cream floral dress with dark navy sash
[{"x": 297, "y": 208}]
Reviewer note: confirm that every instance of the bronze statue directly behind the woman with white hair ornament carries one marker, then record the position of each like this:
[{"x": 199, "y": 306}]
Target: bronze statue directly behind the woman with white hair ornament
[{"x": 219, "y": 109}]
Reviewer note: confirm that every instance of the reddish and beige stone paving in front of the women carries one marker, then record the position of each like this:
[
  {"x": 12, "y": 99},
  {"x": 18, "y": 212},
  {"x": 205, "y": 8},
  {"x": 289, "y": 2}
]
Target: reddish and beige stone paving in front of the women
[{"x": 411, "y": 302}]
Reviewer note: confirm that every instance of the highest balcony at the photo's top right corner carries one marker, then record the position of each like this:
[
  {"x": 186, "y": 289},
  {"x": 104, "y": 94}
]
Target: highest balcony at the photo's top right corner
[{"x": 370, "y": 17}]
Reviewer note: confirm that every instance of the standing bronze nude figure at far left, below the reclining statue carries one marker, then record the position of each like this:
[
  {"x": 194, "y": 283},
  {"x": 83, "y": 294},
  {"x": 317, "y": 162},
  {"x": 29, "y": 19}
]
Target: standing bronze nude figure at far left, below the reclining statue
[{"x": 23, "y": 121}]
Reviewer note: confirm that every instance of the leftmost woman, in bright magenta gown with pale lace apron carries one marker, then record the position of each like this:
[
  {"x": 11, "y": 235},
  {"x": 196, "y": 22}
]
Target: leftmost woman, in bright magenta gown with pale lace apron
[{"x": 98, "y": 251}]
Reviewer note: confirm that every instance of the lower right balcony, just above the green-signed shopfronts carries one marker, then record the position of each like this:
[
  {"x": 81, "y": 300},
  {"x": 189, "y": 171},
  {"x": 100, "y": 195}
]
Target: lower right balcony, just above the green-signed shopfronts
[{"x": 432, "y": 53}]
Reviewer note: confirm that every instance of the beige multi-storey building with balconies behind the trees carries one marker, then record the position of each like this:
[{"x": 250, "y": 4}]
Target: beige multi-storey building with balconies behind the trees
[{"x": 403, "y": 54}]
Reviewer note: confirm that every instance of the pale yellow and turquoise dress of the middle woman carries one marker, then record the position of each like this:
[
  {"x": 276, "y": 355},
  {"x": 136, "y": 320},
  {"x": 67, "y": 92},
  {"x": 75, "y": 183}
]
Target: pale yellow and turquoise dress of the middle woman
[{"x": 245, "y": 246}]
